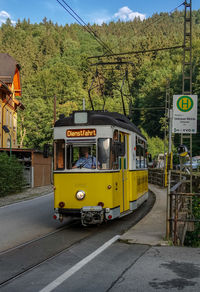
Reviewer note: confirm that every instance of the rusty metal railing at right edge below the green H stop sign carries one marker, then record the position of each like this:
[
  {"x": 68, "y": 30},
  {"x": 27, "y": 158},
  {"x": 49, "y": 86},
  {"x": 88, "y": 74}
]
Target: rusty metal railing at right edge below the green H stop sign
[{"x": 183, "y": 207}]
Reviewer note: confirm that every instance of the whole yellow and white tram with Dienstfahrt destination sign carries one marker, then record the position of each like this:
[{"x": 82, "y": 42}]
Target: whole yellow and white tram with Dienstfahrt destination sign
[{"x": 100, "y": 167}]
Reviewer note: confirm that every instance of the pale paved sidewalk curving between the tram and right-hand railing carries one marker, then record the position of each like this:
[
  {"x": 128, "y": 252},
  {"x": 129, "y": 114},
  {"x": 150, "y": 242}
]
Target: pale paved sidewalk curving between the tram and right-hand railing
[{"x": 151, "y": 229}]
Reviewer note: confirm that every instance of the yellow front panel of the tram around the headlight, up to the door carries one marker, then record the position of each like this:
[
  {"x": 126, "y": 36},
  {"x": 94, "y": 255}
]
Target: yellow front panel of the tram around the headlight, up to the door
[{"x": 99, "y": 187}]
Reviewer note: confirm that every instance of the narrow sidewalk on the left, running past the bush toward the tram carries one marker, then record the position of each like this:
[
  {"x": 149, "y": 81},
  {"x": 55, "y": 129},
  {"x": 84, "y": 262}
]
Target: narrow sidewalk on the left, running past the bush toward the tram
[{"x": 27, "y": 194}]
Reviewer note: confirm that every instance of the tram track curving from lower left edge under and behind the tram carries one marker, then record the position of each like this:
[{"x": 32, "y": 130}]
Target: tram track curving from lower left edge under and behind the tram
[{"x": 19, "y": 260}]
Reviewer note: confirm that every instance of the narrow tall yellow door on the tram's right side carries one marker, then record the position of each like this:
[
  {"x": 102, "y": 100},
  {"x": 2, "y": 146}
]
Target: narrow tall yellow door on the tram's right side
[{"x": 124, "y": 169}]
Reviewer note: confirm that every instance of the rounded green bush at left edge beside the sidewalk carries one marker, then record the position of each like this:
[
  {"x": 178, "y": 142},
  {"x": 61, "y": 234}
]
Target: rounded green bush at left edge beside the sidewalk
[{"x": 11, "y": 175}]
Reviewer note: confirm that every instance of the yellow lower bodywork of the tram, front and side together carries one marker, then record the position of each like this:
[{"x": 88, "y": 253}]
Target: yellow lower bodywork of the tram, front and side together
[{"x": 100, "y": 187}]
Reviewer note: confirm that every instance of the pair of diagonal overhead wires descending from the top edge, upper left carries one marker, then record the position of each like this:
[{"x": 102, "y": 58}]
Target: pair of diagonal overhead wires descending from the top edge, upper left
[{"x": 84, "y": 25}]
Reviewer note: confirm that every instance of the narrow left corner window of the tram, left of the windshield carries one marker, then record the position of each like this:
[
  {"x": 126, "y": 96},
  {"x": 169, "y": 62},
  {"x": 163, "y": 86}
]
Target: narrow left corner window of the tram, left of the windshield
[{"x": 59, "y": 159}]
